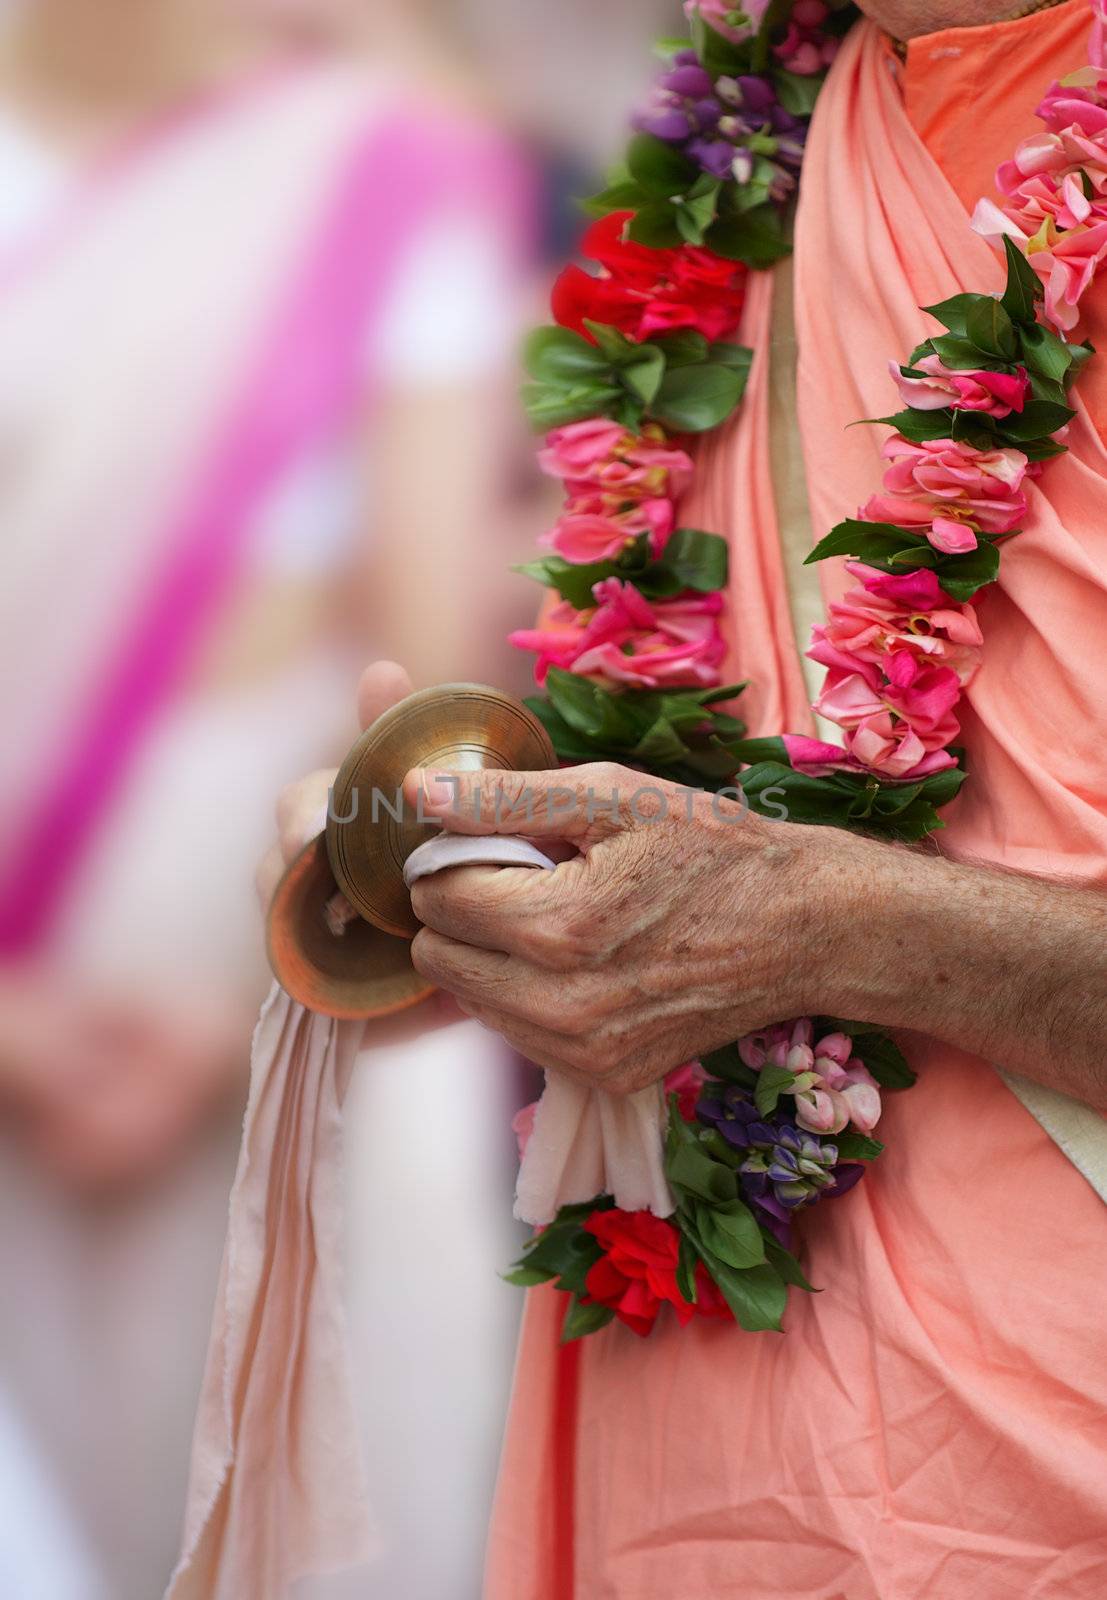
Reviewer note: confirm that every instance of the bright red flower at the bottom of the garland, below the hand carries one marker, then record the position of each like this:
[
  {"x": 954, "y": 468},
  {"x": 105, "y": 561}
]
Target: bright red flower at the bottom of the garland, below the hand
[{"x": 637, "y": 1274}]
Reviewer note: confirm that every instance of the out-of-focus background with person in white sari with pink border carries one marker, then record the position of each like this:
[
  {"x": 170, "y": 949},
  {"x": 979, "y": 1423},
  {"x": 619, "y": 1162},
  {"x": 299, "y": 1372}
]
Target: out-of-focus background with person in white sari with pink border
[{"x": 263, "y": 273}]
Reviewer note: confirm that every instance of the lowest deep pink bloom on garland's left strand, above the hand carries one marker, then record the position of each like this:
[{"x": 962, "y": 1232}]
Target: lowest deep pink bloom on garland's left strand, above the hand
[{"x": 628, "y": 641}]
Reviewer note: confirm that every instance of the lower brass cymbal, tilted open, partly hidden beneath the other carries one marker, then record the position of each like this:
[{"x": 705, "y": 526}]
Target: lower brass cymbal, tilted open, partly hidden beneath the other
[{"x": 358, "y": 974}]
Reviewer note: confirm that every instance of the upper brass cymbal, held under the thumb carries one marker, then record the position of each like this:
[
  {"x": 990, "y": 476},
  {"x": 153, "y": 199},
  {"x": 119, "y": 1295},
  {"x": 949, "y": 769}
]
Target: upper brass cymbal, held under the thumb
[{"x": 372, "y": 831}]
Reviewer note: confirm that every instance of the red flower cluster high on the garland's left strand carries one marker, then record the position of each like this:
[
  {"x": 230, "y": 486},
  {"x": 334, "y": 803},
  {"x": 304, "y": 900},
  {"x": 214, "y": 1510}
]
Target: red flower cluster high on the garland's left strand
[{"x": 649, "y": 292}]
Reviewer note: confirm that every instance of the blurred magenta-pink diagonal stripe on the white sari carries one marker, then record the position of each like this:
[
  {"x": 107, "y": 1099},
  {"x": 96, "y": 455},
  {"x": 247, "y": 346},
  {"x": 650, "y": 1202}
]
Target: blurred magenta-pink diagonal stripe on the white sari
[{"x": 308, "y": 377}]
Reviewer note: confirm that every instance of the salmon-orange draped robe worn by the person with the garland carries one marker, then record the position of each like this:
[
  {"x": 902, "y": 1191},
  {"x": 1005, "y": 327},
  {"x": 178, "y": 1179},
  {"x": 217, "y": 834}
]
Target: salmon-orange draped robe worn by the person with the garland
[{"x": 933, "y": 1425}]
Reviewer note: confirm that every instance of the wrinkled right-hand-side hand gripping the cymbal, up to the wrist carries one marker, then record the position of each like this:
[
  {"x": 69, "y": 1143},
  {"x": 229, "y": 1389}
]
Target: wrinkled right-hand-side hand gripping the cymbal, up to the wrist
[{"x": 682, "y": 924}]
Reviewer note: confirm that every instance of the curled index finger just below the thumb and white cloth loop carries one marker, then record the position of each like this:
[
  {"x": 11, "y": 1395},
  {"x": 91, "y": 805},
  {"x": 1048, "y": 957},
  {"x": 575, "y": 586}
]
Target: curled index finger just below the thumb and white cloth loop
[{"x": 508, "y": 910}]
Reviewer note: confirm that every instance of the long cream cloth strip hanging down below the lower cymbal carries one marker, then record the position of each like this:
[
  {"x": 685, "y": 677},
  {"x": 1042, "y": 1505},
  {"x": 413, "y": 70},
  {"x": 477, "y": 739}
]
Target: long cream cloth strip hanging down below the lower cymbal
[{"x": 278, "y": 1481}]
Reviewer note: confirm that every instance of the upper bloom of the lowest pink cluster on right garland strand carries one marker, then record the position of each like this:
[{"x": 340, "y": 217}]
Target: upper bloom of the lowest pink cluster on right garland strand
[{"x": 869, "y": 625}]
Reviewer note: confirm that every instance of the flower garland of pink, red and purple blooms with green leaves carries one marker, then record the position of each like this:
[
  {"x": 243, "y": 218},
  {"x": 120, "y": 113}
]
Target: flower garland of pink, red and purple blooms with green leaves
[{"x": 629, "y": 657}]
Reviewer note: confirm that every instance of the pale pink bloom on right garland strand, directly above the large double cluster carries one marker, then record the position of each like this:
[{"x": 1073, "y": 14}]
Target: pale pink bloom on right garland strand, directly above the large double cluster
[{"x": 949, "y": 490}]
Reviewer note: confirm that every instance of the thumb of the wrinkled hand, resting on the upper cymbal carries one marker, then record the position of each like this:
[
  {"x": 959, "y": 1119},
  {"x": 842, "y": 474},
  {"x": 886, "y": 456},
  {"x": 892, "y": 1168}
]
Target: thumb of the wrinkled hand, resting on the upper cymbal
[{"x": 583, "y": 804}]
